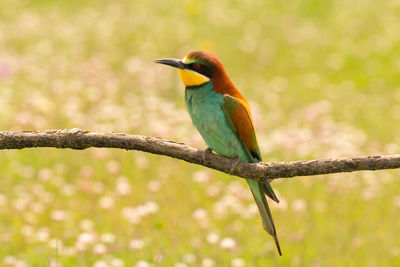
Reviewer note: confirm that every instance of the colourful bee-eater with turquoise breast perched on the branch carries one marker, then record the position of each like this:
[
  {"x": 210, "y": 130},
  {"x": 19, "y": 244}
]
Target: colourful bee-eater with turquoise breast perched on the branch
[{"x": 222, "y": 116}]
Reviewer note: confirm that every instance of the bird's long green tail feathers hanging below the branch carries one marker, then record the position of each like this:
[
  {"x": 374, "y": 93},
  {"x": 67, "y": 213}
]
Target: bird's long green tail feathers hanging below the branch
[{"x": 259, "y": 189}]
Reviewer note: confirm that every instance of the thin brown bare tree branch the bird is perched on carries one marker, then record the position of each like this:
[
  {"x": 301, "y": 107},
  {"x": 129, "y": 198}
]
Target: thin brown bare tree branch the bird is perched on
[{"x": 81, "y": 139}]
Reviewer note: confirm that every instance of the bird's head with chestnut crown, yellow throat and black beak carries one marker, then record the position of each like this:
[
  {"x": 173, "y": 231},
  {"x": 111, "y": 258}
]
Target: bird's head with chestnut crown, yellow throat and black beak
[{"x": 196, "y": 68}]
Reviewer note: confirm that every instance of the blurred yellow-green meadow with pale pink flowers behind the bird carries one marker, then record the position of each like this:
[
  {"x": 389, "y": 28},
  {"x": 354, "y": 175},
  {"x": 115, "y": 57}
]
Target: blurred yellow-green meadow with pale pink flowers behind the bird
[{"x": 322, "y": 78}]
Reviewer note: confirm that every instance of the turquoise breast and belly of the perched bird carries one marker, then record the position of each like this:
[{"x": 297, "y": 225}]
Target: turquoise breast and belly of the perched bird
[{"x": 204, "y": 106}]
